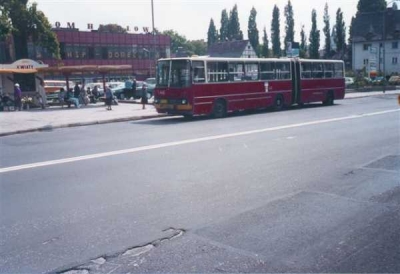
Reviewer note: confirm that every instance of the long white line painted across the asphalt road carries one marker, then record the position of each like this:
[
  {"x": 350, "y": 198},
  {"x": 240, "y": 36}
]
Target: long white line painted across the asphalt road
[{"x": 189, "y": 141}]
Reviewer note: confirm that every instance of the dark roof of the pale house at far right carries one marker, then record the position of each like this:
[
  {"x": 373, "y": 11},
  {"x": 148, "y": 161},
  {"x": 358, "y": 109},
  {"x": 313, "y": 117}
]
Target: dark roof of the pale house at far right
[{"x": 370, "y": 26}]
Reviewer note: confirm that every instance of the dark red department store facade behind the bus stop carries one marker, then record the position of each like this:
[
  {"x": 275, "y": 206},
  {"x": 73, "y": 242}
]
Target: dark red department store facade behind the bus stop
[{"x": 102, "y": 48}]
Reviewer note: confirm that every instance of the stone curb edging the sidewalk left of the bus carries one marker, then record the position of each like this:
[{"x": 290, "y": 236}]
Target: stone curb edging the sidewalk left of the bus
[{"x": 47, "y": 128}]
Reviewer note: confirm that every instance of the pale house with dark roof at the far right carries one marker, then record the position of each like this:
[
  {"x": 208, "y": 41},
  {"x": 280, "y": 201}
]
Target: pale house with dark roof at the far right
[{"x": 376, "y": 42}]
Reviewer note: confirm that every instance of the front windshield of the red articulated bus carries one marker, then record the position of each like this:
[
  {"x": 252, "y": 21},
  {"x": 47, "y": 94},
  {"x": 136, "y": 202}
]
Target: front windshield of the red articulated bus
[{"x": 175, "y": 73}]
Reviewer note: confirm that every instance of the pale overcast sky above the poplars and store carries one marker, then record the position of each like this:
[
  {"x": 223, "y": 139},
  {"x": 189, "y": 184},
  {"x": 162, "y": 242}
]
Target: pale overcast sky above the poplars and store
[{"x": 188, "y": 17}]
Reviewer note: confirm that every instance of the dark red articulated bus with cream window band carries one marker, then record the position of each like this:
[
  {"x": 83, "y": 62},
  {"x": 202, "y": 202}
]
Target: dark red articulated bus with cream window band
[{"x": 217, "y": 86}]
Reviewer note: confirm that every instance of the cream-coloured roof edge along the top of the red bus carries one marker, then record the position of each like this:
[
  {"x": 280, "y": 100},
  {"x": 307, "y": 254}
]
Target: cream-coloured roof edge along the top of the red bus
[{"x": 216, "y": 59}]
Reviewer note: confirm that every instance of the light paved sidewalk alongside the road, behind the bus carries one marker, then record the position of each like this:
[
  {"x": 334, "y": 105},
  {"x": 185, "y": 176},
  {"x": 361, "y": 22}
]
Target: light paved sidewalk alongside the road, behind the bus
[{"x": 56, "y": 117}]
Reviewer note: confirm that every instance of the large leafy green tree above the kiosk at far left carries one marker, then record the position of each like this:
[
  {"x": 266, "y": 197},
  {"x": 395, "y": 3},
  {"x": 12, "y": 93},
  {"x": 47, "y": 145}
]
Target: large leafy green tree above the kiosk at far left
[{"x": 25, "y": 22}]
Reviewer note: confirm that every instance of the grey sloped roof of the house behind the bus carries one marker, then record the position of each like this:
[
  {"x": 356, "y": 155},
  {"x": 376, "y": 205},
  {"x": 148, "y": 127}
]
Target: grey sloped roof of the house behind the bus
[{"x": 233, "y": 49}]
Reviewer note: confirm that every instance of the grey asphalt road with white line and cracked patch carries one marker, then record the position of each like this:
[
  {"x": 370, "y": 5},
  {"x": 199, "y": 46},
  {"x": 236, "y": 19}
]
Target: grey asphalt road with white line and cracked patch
[{"x": 304, "y": 190}]
